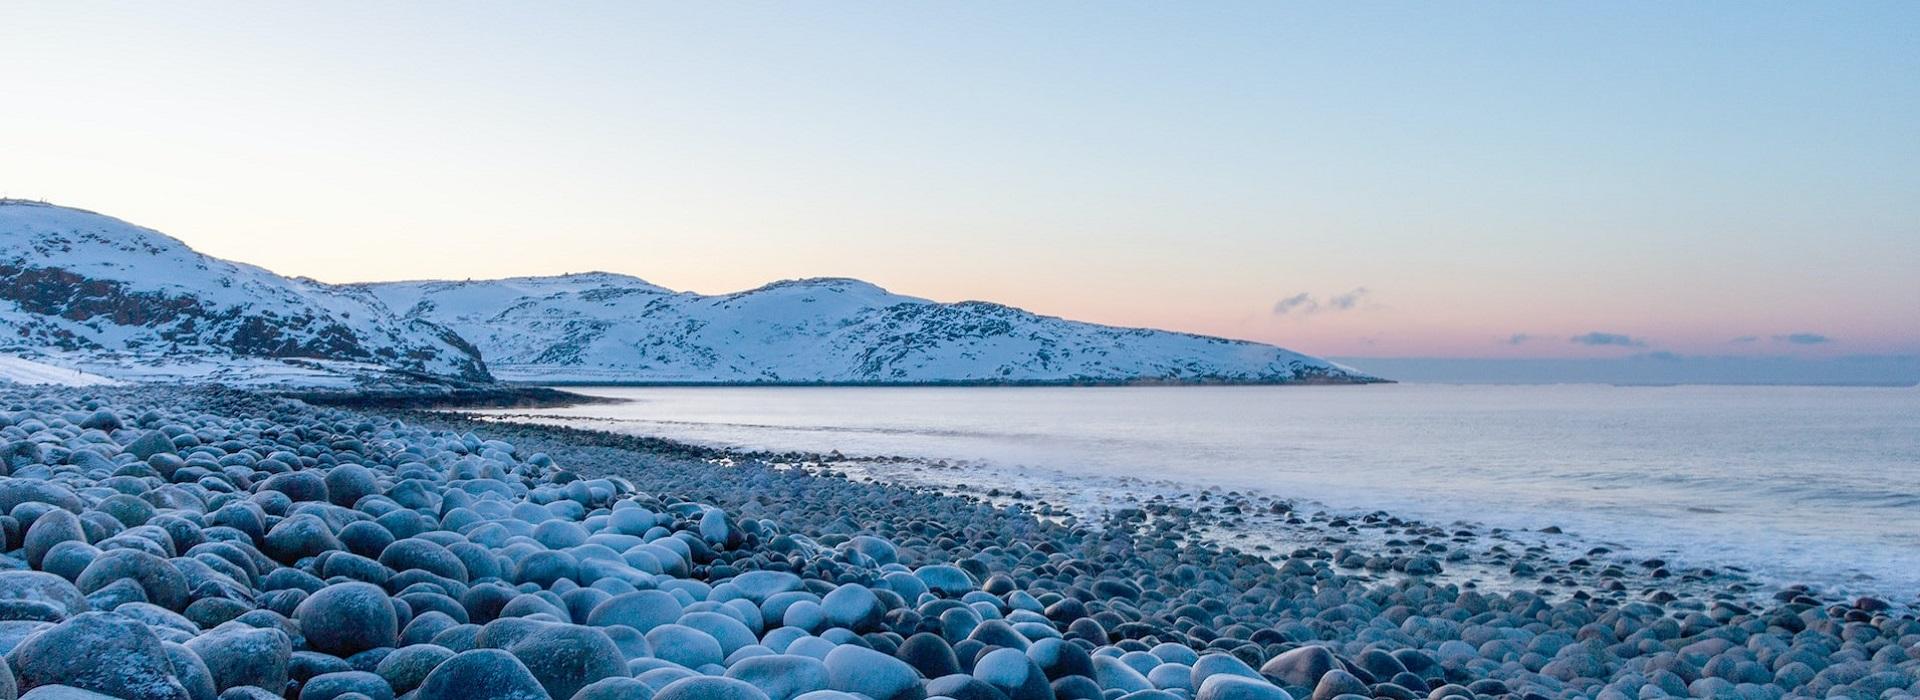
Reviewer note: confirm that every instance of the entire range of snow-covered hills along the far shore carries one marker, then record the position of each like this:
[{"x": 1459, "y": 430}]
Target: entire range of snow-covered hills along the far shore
[{"x": 95, "y": 294}]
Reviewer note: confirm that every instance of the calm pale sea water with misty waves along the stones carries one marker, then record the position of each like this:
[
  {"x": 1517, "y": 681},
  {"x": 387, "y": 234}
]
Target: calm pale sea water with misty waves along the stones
[{"x": 1800, "y": 484}]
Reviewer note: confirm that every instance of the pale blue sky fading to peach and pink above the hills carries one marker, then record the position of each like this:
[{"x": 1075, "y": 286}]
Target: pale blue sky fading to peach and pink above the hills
[{"x": 1378, "y": 179}]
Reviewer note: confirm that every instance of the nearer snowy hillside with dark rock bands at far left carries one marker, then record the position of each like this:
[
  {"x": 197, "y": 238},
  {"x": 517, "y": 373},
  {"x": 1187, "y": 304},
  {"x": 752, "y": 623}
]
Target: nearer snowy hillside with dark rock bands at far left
[{"x": 82, "y": 283}]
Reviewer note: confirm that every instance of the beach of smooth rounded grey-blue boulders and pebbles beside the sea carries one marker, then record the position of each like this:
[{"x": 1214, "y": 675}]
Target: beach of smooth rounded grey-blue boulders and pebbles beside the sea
[{"x": 214, "y": 544}]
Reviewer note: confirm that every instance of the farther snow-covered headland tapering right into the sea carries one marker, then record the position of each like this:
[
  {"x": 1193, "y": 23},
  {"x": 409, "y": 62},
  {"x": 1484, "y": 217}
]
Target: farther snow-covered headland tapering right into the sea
[{"x": 604, "y": 327}]
